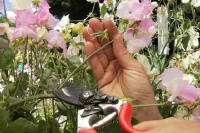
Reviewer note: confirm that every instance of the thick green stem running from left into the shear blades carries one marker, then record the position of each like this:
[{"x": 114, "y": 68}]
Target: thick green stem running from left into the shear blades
[{"x": 41, "y": 96}]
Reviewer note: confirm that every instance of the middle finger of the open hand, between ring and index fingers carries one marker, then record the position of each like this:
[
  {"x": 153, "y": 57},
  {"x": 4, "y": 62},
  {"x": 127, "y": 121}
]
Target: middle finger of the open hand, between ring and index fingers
[{"x": 97, "y": 26}]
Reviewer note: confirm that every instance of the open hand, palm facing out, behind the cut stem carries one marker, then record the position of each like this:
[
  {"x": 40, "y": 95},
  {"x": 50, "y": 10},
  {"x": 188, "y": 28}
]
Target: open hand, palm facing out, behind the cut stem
[{"x": 116, "y": 72}]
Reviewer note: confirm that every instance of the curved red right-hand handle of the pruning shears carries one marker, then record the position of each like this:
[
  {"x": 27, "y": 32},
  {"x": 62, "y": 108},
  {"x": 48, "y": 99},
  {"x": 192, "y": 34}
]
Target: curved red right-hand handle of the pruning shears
[{"x": 125, "y": 116}]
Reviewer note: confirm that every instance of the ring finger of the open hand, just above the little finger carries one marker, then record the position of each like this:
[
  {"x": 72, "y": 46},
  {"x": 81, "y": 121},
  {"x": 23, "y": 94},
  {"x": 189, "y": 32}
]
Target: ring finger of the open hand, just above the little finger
[{"x": 87, "y": 31}]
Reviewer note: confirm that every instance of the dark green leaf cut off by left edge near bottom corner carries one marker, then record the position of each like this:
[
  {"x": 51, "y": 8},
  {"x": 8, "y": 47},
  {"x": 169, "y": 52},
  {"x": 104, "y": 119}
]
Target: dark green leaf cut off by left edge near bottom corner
[{"x": 4, "y": 119}]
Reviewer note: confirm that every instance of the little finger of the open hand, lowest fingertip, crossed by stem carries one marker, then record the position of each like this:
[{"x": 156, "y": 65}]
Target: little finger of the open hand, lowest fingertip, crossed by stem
[{"x": 94, "y": 61}]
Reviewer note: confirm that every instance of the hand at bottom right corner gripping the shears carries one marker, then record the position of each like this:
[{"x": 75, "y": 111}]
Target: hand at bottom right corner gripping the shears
[{"x": 170, "y": 125}]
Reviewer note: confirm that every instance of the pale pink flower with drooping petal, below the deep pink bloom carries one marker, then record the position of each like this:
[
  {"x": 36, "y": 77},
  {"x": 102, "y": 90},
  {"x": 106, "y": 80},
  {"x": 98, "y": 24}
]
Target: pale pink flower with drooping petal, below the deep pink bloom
[{"x": 56, "y": 39}]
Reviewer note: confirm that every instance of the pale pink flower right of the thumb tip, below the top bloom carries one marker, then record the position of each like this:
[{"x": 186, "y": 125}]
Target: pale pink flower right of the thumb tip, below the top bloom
[{"x": 140, "y": 37}]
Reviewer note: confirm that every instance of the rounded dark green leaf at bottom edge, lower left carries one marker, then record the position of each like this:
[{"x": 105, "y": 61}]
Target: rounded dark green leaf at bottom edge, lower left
[{"x": 22, "y": 125}]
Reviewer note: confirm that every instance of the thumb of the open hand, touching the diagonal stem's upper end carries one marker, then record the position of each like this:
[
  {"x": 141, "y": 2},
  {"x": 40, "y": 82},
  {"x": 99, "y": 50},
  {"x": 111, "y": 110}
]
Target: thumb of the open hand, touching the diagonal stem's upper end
[{"x": 121, "y": 53}]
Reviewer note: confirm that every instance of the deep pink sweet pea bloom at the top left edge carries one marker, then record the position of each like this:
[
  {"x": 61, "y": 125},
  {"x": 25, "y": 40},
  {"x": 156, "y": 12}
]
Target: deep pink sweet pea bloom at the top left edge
[{"x": 44, "y": 17}]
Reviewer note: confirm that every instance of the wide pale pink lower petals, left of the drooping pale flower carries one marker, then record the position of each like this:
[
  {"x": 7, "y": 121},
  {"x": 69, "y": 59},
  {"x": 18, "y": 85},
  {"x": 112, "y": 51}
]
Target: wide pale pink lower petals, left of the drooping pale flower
[{"x": 23, "y": 32}]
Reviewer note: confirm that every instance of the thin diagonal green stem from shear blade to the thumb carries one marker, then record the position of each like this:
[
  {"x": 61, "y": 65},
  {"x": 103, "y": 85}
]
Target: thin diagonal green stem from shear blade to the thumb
[{"x": 95, "y": 52}]
